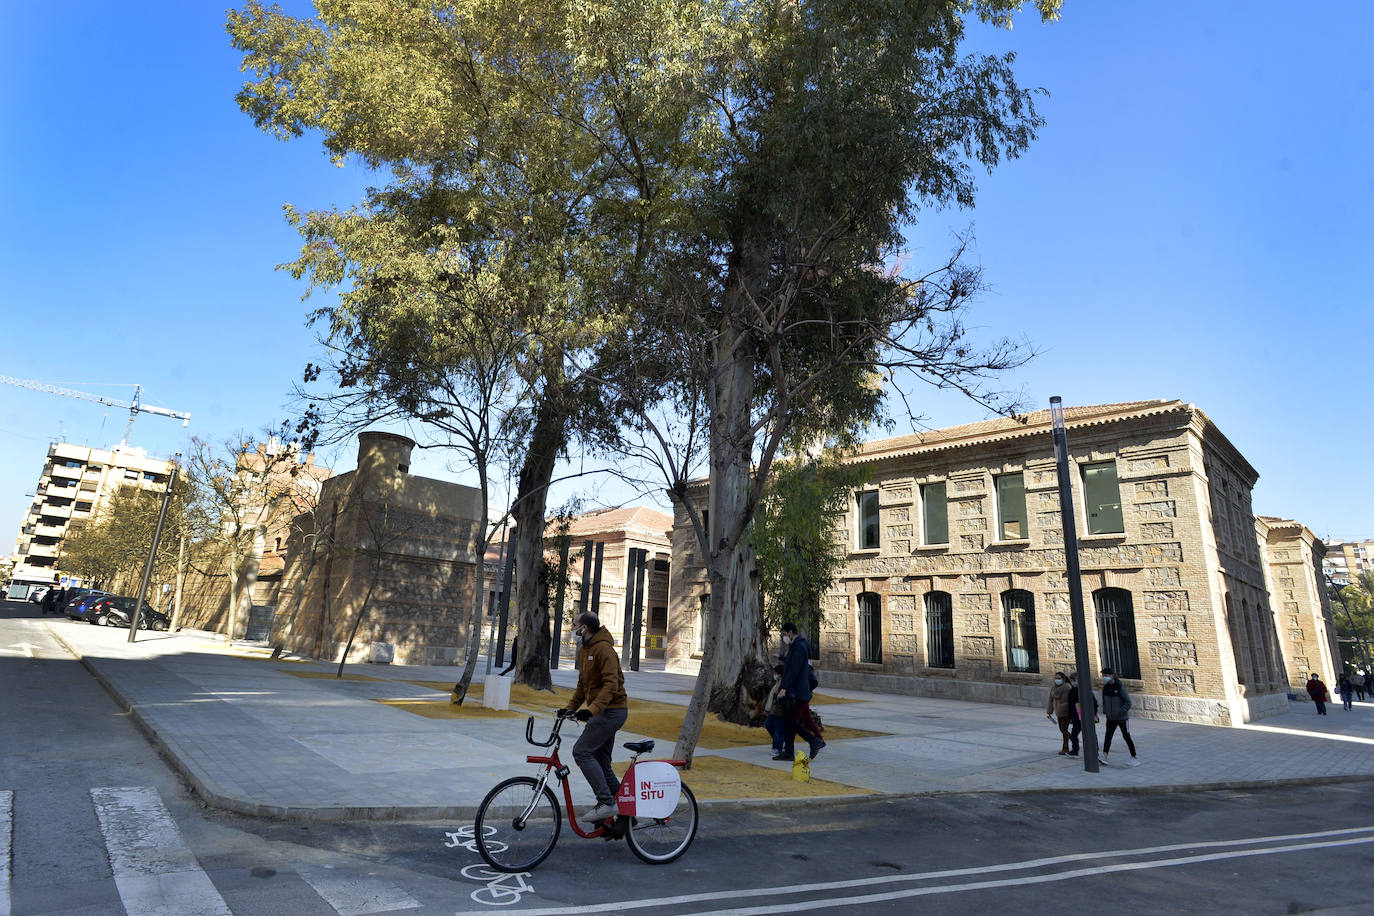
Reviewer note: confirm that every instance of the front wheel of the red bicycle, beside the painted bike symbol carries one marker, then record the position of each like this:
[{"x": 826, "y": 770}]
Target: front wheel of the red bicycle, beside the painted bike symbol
[{"x": 517, "y": 826}]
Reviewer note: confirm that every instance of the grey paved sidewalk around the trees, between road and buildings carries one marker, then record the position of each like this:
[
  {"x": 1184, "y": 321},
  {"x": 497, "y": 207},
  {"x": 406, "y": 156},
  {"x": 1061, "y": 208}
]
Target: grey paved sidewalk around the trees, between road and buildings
[{"x": 255, "y": 740}]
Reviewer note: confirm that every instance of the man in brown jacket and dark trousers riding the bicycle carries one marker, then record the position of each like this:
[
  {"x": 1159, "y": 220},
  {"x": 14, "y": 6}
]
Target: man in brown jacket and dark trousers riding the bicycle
[{"x": 601, "y": 685}]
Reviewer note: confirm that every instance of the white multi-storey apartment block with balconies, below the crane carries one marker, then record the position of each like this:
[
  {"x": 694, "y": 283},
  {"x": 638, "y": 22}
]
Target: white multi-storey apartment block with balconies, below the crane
[{"x": 75, "y": 485}]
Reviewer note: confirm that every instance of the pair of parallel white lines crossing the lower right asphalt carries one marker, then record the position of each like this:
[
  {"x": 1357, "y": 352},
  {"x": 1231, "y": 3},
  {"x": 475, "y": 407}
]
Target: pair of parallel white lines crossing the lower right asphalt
[{"x": 1347, "y": 838}]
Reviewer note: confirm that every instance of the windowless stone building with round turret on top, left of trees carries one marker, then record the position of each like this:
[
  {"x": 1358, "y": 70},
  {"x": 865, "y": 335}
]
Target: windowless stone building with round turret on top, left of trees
[{"x": 388, "y": 551}]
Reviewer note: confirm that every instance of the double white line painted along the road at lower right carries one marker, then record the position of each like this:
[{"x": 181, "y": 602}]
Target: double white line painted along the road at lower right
[{"x": 954, "y": 873}]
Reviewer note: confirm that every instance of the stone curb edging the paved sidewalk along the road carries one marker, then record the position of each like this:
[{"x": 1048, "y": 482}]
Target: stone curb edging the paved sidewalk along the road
[{"x": 212, "y": 796}]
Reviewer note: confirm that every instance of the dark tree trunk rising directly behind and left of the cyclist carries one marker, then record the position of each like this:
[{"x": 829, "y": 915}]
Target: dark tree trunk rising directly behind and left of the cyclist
[{"x": 531, "y": 587}]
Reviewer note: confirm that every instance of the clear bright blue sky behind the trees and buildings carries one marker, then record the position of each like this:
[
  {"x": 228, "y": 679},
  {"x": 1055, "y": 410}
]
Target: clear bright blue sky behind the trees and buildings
[{"x": 1193, "y": 223}]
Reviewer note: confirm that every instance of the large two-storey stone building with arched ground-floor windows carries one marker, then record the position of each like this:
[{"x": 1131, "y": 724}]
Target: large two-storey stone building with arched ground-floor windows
[{"x": 956, "y": 580}]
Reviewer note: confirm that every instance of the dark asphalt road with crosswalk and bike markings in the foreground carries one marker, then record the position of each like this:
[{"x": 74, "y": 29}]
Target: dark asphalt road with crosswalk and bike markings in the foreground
[{"x": 100, "y": 822}]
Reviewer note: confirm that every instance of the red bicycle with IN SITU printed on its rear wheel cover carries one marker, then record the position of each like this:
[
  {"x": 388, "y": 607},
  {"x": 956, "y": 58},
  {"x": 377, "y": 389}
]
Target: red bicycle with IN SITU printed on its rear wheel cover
[{"x": 519, "y": 822}]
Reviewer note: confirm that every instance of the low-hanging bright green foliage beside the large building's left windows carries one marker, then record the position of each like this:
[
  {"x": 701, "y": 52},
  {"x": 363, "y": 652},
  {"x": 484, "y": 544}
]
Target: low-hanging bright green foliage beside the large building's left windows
[{"x": 796, "y": 543}]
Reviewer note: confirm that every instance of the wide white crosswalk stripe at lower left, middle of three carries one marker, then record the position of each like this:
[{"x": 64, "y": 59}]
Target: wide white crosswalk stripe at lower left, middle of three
[{"x": 155, "y": 871}]
